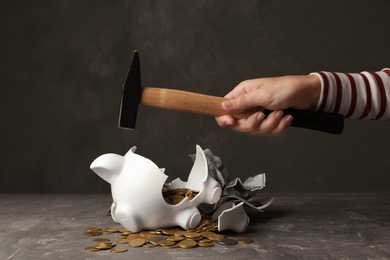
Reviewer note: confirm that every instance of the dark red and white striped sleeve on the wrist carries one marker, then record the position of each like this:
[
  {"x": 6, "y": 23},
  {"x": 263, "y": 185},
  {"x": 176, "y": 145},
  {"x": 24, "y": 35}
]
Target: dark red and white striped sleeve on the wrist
[{"x": 364, "y": 95}]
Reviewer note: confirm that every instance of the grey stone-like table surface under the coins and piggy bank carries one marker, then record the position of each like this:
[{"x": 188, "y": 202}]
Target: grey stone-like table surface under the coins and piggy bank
[{"x": 295, "y": 226}]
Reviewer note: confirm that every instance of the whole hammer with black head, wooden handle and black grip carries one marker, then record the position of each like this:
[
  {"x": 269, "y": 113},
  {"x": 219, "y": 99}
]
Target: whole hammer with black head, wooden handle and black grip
[{"x": 133, "y": 94}]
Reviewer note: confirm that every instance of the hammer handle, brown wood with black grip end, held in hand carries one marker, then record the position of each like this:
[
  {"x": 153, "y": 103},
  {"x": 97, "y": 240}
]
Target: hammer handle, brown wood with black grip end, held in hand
[{"x": 211, "y": 105}]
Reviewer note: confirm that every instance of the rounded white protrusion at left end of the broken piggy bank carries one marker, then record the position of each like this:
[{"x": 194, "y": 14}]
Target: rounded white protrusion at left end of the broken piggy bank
[{"x": 107, "y": 166}]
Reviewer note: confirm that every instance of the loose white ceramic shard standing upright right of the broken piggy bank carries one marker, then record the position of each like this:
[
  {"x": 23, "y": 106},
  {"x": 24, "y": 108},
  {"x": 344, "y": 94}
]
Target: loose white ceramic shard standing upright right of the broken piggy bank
[{"x": 232, "y": 217}]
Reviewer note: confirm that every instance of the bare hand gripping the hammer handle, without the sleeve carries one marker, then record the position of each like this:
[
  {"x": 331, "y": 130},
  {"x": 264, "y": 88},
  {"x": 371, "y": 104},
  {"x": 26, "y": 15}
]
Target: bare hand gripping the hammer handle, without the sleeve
[{"x": 299, "y": 92}]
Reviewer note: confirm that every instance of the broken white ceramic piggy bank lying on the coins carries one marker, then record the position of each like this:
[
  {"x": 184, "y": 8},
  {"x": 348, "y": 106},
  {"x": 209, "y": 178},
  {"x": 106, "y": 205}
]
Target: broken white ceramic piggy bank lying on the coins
[{"x": 136, "y": 187}]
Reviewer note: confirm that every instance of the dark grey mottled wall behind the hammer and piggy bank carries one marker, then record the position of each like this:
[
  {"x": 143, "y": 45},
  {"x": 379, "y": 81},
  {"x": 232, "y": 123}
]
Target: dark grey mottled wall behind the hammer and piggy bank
[{"x": 62, "y": 64}]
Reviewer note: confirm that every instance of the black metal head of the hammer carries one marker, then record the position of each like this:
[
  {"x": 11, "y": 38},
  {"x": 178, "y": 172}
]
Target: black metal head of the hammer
[{"x": 131, "y": 95}]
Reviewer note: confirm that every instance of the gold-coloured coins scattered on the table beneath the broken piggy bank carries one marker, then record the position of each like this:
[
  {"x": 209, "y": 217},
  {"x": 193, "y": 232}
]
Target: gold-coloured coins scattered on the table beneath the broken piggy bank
[{"x": 202, "y": 236}]
